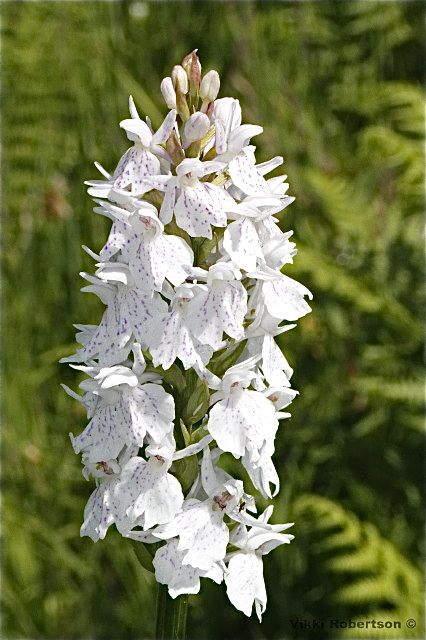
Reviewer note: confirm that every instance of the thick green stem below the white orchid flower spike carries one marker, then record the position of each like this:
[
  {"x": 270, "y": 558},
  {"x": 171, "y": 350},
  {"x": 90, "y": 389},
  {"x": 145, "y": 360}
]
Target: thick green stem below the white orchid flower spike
[{"x": 171, "y": 615}]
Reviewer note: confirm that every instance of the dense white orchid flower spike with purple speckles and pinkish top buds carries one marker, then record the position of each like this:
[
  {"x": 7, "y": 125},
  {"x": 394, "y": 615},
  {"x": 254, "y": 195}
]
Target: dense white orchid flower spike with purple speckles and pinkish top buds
[{"x": 184, "y": 365}]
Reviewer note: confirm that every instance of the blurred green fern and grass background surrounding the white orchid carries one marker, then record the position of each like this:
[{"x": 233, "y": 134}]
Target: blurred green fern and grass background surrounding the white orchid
[{"x": 338, "y": 88}]
